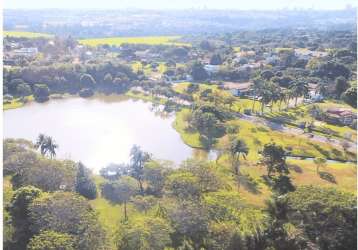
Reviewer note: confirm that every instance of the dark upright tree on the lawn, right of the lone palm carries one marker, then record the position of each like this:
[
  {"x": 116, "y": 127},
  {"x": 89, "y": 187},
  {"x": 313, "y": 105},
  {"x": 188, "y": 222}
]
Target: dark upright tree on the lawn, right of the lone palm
[{"x": 274, "y": 158}]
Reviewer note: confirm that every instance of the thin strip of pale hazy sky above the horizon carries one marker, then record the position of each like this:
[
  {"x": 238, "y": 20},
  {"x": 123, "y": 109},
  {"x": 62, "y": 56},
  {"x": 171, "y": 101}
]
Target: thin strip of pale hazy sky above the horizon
[{"x": 180, "y": 4}]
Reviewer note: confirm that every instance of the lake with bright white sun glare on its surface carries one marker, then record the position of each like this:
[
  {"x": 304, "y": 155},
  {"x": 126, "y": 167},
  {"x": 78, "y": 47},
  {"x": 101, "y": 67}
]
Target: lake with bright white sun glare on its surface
[{"x": 100, "y": 130}]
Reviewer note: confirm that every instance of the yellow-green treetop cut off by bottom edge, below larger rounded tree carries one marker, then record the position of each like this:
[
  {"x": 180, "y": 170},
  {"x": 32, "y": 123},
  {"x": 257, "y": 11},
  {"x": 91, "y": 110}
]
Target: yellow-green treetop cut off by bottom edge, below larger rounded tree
[{"x": 51, "y": 240}]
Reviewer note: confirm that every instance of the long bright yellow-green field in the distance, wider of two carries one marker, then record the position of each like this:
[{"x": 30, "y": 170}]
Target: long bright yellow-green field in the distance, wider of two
[{"x": 149, "y": 40}]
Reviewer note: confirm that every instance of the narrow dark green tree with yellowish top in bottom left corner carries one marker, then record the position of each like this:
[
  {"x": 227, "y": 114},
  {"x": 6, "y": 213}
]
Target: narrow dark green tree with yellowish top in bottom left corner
[{"x": 19, "y": 211}]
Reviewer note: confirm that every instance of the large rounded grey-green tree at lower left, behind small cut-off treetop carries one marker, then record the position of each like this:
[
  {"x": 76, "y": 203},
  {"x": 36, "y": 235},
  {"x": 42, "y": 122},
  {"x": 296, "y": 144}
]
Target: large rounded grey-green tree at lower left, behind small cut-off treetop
[{"x": 68, "y": 213}]
